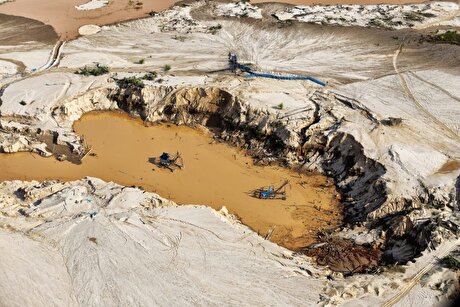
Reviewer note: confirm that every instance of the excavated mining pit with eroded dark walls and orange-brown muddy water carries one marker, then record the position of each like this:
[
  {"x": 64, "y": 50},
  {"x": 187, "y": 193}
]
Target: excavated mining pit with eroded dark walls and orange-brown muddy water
[{"x": 310, "y": 215}]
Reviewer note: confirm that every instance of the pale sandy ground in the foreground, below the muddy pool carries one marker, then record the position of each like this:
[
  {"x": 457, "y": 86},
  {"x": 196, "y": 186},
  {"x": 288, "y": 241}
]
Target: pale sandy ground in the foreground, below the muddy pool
[{"x": 91, "y": 243}]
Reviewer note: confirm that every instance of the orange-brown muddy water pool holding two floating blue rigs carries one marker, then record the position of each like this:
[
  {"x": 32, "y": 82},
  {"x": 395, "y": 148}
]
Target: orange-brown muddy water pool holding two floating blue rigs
[{"x": 215, "y": 174}]
